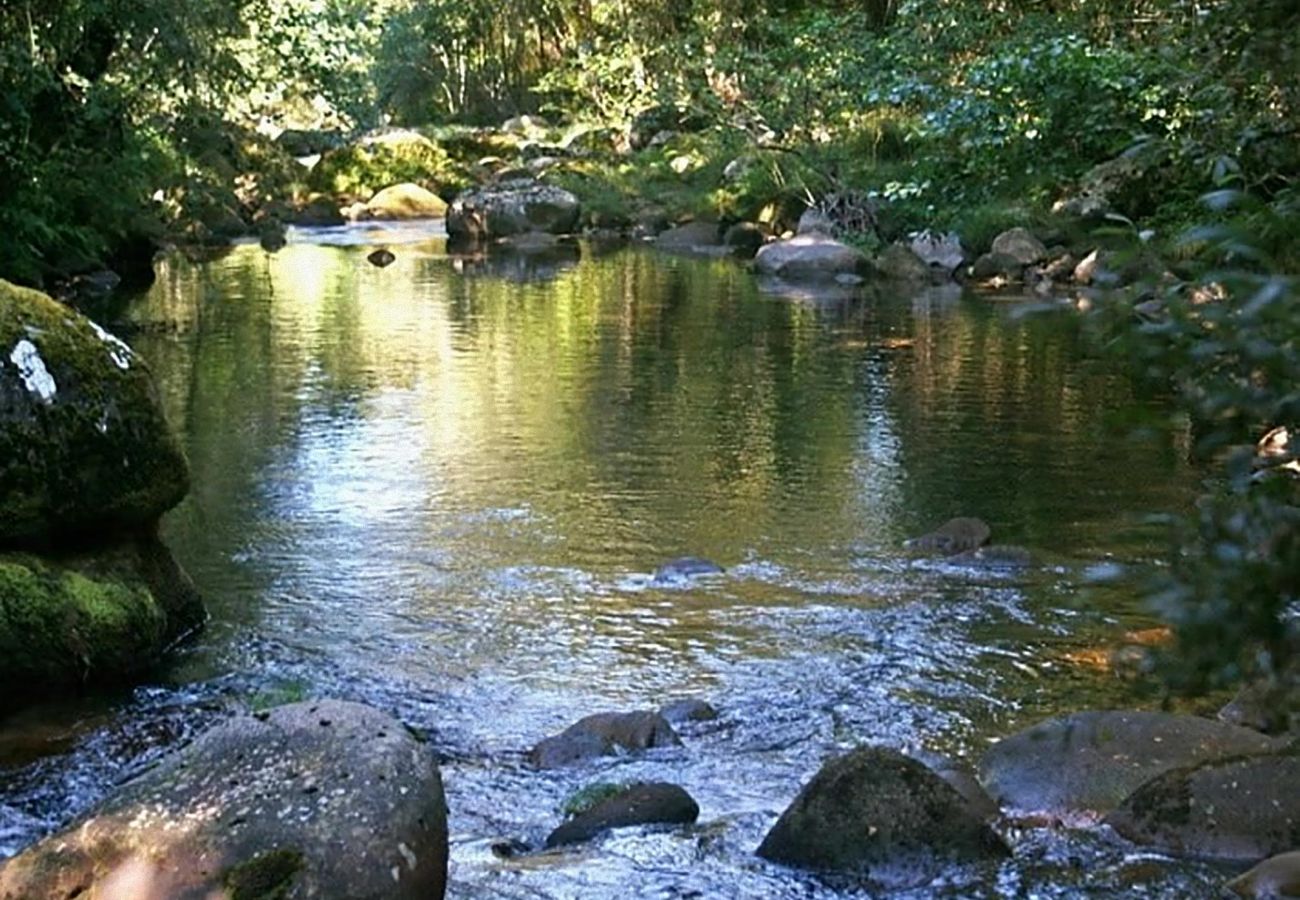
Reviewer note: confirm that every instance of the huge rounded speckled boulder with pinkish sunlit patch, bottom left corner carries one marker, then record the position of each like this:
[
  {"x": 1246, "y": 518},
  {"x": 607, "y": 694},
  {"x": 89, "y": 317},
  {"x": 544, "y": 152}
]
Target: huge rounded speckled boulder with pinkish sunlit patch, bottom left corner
[{"x": 310, "y": 801}]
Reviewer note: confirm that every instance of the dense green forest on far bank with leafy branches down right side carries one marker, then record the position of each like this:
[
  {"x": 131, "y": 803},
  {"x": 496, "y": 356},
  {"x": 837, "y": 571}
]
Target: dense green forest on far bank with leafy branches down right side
[{"x": 123, "y": 122}]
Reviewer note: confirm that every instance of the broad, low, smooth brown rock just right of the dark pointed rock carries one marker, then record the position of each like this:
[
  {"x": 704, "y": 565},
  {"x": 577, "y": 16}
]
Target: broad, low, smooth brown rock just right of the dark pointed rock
[{"x": 1085, "y": 765}]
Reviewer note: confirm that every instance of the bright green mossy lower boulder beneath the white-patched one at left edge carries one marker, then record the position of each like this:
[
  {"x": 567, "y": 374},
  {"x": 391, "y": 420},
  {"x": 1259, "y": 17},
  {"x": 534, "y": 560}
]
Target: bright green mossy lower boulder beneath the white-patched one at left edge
[{"x": 92, "y": 618}]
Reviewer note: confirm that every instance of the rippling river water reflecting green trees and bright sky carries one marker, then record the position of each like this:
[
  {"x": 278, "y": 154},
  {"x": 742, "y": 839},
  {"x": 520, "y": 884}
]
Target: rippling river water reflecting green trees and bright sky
[{"x": 443, "y": 487}]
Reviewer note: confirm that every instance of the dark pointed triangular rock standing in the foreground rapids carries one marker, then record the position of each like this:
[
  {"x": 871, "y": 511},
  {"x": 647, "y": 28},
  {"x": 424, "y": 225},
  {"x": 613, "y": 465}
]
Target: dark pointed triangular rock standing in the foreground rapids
[{"x": 879, "y": 815}]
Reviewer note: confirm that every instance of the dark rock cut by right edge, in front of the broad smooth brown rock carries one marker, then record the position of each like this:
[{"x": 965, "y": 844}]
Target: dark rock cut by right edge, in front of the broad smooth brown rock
[{"x": 1242, "y": 810}]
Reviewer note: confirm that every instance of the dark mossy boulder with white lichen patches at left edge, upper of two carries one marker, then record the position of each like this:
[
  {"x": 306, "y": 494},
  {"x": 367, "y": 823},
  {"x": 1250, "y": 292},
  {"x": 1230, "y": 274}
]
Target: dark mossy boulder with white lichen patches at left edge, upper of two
[{"x": 84, "y": 444}]
